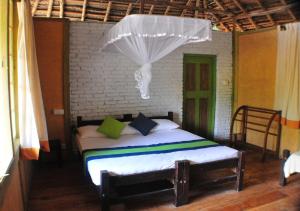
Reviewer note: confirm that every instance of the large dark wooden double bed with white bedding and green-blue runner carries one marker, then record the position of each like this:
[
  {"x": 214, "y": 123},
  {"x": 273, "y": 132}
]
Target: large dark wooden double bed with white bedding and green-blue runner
[{"x": 168, "y": 165}]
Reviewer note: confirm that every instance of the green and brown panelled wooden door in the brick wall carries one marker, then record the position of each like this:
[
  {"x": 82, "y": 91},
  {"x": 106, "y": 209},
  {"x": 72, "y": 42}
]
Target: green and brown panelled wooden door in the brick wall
[{"x": 199, "y": 94}]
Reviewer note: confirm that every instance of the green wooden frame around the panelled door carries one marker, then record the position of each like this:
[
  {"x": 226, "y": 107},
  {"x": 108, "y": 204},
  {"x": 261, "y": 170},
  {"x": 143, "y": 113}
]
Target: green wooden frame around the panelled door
[{"x": 196, "y": 57}]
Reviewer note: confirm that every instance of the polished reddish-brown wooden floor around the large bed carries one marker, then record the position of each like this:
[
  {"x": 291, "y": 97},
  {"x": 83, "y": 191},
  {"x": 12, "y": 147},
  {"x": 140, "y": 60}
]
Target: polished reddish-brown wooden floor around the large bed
[{"x": 65, "y": 188}]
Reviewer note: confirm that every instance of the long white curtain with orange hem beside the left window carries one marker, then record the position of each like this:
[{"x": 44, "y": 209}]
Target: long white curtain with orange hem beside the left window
[{"x": 32, "y": 121}]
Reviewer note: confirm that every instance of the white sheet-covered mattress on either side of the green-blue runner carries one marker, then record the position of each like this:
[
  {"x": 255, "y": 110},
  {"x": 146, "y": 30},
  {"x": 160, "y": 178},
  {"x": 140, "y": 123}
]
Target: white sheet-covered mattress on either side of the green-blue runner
[{"x": 151, "y": 162}]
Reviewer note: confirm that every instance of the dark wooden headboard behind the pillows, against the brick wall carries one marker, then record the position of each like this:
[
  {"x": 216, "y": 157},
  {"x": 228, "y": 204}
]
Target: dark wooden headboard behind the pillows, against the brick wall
[{"x": 126, "y": 118}]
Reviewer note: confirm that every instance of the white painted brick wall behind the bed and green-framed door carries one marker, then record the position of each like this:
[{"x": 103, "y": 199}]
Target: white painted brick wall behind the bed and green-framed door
[{"x": 103, "y": 83}]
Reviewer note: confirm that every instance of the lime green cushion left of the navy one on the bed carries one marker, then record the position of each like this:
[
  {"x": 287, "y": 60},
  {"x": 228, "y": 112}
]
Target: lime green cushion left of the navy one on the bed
[{"x": 111, "y": 127}]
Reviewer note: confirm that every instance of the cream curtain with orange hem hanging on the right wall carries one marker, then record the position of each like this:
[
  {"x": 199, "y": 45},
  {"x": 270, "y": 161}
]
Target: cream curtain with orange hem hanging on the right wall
[{"x": 287, "y": 97}]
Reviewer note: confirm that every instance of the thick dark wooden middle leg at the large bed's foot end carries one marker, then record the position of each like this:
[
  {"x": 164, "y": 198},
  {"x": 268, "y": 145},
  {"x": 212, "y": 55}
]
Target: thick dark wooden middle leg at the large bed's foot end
[{"x": 181, "y": 186}]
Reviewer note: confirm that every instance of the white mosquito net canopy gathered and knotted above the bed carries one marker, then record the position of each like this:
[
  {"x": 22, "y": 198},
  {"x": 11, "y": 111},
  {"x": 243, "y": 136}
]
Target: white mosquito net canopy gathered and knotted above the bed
[{"x": 147, "y": 38}]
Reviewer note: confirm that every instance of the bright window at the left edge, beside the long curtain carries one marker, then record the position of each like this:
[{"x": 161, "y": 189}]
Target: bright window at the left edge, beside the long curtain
[{"x": 6, "y": 149}]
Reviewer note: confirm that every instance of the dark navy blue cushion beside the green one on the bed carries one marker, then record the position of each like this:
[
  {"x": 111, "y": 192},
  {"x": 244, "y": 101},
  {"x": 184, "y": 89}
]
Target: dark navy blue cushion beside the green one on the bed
[{"x": 143, "y": 124}]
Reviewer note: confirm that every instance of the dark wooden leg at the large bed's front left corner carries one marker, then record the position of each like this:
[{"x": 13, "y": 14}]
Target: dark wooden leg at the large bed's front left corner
[{"x": 104, "y": 190}]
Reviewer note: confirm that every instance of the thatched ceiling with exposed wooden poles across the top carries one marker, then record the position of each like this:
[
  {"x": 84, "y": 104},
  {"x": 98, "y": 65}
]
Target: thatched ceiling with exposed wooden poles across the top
[{"x": 225, "y": 14}]
